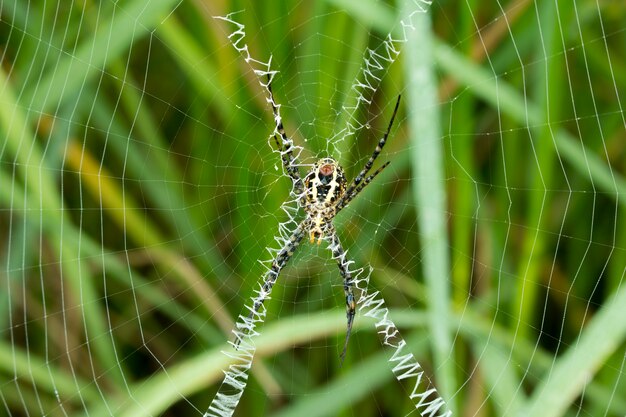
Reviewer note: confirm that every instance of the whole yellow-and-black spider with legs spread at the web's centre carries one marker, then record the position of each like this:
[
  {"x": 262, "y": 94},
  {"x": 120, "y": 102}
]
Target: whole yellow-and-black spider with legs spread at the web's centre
[{"x": 323, "y": 193}]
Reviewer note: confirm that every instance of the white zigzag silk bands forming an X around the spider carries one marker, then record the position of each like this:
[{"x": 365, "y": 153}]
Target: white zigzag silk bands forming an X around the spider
[{"x": 404, "y": 365}]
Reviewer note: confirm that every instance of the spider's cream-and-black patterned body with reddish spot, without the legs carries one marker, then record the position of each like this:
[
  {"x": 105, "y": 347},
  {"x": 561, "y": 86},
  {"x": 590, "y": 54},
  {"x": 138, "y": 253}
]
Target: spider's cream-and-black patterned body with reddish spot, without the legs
[{"x": 324, "y": 186}]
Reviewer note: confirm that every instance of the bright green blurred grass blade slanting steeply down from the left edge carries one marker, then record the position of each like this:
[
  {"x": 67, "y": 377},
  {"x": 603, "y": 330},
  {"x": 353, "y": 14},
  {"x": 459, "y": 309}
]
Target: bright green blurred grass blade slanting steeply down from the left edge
[{"x": 42, "y": 201}]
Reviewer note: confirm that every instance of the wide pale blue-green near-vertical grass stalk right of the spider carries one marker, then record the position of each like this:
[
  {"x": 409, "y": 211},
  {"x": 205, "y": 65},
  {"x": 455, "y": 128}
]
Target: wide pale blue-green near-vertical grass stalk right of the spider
[{"x": 429, "y": 193}]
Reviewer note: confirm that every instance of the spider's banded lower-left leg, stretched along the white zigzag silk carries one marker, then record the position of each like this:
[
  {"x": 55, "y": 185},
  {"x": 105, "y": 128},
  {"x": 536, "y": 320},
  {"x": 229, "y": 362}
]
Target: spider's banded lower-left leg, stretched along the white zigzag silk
[{"x": 269, "y": 279}]
